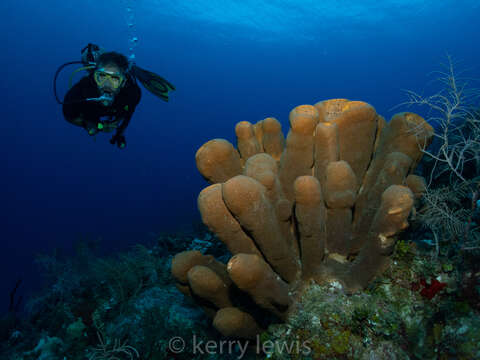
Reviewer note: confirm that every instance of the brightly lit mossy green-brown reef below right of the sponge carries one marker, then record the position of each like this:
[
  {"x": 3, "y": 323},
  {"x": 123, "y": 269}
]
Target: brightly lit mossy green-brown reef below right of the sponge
[{"x": 391, "y": 319}]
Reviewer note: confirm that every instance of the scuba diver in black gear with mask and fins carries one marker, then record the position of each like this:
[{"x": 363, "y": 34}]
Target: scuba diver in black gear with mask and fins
[{"x": 106, "y": 98}]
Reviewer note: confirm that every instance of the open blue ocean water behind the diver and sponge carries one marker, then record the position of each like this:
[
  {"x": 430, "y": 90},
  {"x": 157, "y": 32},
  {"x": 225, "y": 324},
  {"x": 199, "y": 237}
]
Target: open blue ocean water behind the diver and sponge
[{"x": 229, "y": 60}]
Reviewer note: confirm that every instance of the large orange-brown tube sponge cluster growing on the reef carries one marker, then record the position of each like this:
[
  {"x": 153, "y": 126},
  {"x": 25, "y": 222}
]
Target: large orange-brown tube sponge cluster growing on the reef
[{"x": 322, "y": 205}]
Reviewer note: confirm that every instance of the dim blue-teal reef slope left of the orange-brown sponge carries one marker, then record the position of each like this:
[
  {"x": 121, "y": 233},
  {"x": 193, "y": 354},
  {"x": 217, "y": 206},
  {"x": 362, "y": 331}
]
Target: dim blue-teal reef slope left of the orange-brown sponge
[{"x": 122, "y": 306}]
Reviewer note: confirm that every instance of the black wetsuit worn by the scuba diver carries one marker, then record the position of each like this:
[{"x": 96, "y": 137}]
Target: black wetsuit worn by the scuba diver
[{"x": 120, "y": 111}]
